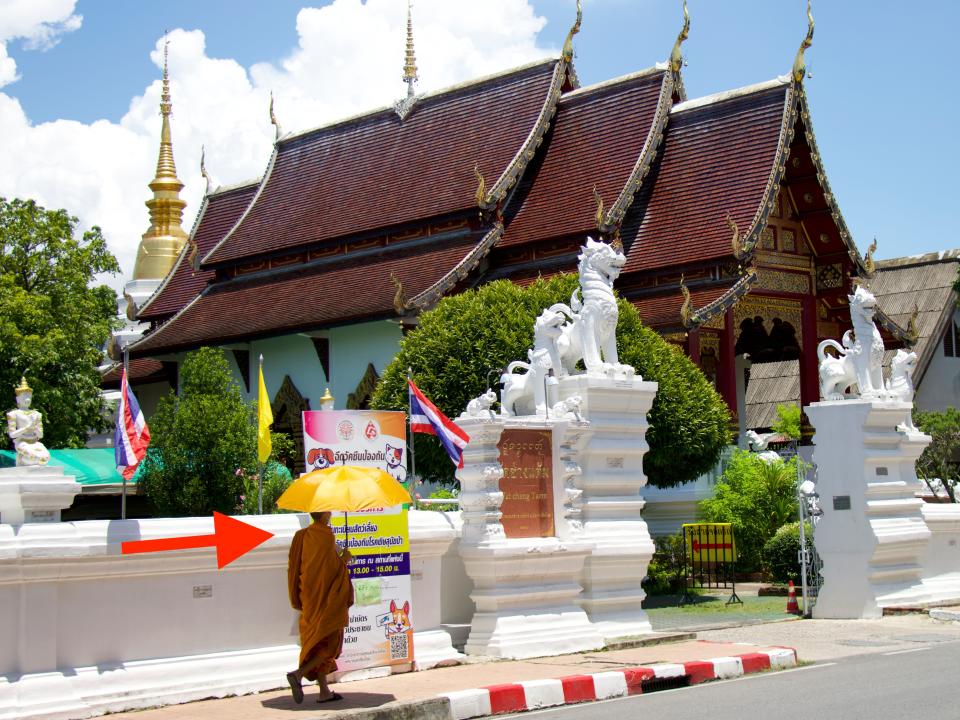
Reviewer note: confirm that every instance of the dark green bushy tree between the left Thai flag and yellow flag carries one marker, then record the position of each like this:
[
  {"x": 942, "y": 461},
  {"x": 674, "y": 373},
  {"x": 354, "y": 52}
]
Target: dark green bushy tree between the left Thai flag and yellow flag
[{"x": 203, "y": 442}]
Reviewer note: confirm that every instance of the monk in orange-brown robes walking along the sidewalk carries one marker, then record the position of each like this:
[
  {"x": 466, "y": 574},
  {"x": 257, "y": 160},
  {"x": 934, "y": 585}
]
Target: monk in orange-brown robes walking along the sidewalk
[{"x": 320, "y": 588}]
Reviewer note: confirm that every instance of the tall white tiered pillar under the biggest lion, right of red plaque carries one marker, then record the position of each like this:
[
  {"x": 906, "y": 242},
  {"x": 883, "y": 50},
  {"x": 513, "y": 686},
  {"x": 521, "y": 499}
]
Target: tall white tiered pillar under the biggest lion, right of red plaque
[{"x": 611, "y": 461}]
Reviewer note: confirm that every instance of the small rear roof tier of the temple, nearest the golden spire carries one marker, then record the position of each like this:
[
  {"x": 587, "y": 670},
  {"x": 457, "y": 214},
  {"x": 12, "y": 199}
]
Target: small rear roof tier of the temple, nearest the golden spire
[{"x": 219, "y": 212}]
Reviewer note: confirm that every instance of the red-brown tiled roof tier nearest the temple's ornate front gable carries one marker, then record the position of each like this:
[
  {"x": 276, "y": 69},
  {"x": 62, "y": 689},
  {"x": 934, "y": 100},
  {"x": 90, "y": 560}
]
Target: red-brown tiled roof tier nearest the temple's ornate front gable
[{"x": 718, "y": 157}]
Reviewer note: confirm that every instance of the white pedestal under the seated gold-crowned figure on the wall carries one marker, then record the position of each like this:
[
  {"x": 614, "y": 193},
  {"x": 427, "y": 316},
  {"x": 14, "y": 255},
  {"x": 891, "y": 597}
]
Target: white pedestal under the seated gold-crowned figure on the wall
[{"x": 35, "y": 493}]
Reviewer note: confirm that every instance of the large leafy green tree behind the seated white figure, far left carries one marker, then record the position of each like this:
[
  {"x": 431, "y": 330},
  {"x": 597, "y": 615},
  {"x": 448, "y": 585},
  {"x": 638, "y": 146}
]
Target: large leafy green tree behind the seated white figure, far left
[{"x": 54, "y": 317}]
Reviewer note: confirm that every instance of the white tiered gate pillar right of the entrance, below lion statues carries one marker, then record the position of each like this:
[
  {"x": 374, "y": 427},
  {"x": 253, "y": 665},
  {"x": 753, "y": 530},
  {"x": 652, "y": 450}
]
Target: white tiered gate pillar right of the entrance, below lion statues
[{"x": 871, "y": 552}]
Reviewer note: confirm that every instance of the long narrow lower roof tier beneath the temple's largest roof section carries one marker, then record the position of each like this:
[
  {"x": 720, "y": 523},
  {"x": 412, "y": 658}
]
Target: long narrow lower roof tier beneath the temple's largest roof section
[{"x": 281, "y": 302}]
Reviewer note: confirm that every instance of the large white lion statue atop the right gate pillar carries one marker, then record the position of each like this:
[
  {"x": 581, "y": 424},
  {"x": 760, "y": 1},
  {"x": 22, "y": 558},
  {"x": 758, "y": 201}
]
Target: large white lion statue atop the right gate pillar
[{"x": 860, "y": 360}]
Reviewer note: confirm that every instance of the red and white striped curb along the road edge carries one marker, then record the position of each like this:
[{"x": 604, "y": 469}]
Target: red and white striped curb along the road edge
[{"x": 537, "y": 694}]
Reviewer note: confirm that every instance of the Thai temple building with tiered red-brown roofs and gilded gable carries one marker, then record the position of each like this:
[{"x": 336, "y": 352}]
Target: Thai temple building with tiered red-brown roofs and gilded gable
[{"x": 736, "y": 248}]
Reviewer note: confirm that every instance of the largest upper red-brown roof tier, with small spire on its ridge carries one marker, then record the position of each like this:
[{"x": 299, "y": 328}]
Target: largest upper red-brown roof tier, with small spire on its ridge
[{"x": 376, "y": 171}]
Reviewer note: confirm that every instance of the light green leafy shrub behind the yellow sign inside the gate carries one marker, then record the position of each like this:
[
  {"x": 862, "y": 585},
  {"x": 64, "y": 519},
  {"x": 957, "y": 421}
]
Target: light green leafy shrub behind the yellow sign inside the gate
[{"x": 757, "y": 497}]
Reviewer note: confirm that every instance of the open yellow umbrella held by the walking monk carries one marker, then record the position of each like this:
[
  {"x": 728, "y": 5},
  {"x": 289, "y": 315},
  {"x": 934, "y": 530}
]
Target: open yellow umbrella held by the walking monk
[{"x": 343, "y": 487}]
